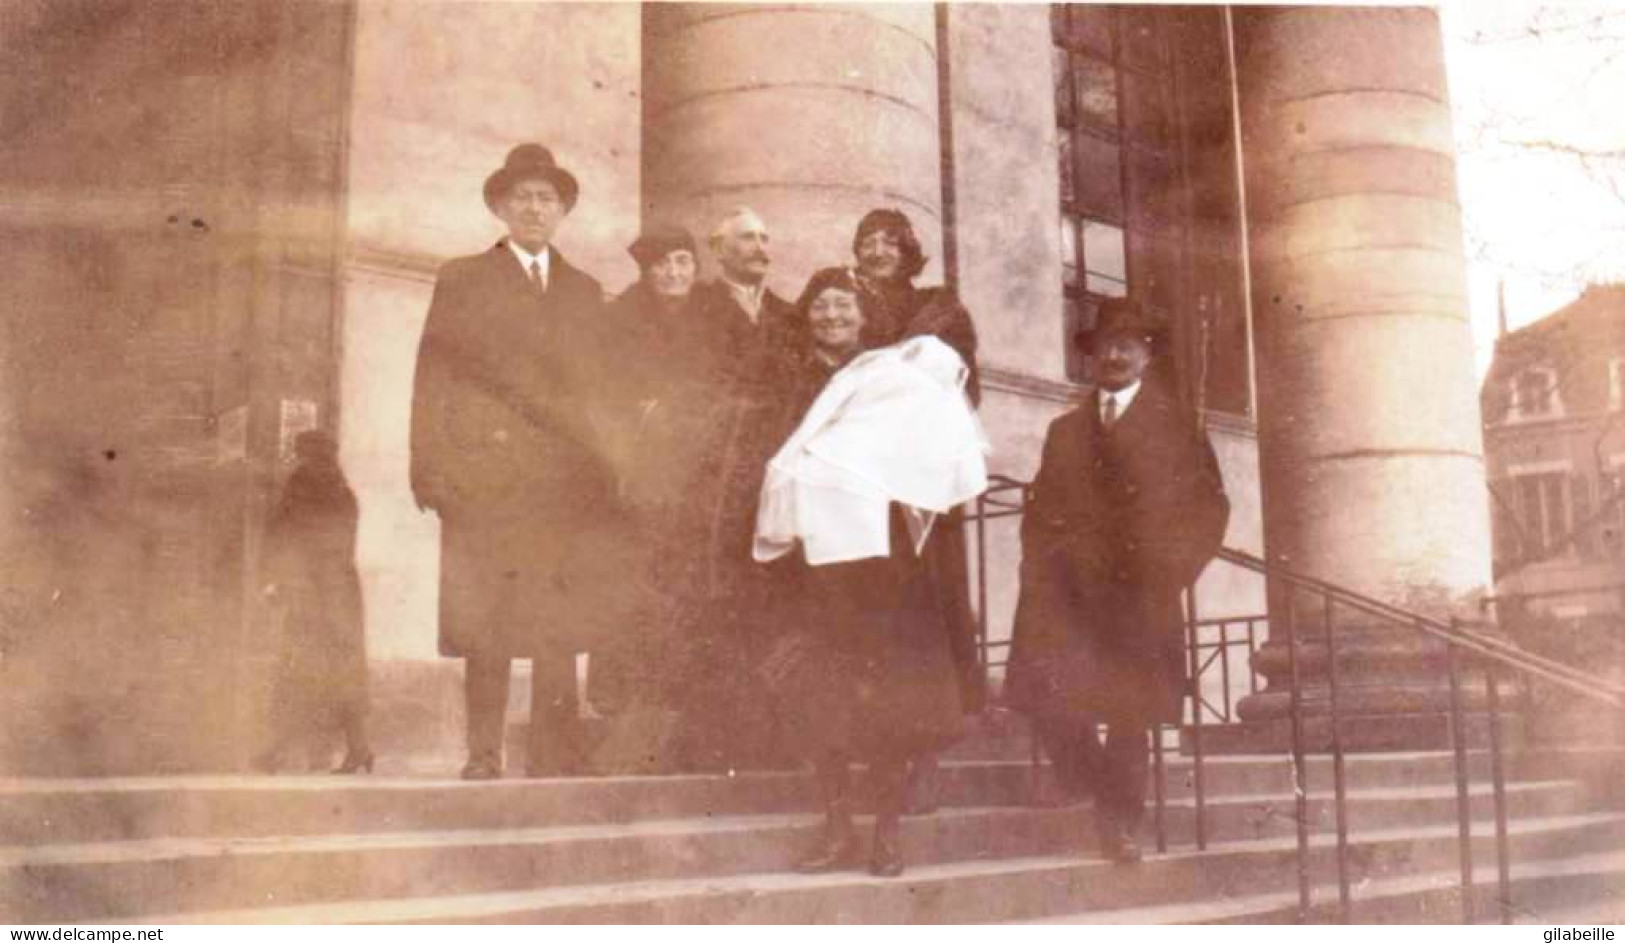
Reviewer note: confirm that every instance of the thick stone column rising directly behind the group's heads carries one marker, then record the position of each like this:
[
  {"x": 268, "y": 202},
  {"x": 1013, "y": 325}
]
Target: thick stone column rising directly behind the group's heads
[{"x": 808, "y": 115}]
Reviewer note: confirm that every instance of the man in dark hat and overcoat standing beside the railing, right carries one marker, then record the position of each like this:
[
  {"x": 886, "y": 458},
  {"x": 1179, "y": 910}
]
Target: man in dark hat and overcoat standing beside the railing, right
[{"x": 1125, "y": 513}]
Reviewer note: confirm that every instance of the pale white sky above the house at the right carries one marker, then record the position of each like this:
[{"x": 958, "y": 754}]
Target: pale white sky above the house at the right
[{"x": 1533, "y": 82}]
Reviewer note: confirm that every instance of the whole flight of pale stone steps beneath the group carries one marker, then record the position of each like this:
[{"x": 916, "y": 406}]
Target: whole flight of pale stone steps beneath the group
[{"x": 703, "y": 850}]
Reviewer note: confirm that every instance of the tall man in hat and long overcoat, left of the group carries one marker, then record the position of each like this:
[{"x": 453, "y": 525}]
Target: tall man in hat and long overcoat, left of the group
[{"x": 505, "y": 448}]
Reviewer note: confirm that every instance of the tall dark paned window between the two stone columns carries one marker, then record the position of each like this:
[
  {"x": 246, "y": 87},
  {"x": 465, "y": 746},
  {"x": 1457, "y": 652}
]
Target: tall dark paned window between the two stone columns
[{"x": 1148, "y": 183}]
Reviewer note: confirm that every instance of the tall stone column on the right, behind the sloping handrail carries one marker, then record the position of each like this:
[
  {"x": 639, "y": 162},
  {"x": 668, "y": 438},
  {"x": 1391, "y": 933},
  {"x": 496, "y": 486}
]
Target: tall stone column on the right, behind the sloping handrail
[{"x": 1369, "y": 420}]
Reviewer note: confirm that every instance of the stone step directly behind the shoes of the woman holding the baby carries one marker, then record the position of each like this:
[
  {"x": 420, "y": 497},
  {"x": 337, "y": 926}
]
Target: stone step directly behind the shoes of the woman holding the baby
[{"x": 111, "y": 879}]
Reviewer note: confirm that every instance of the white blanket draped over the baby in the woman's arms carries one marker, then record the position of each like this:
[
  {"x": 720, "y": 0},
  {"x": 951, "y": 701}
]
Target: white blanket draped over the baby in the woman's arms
[{"x": 893, "y": 425}]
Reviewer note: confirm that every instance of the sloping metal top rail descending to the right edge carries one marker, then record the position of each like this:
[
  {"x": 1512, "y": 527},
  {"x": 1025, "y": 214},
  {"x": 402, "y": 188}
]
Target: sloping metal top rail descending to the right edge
[{"x": 1491, "y": 648}]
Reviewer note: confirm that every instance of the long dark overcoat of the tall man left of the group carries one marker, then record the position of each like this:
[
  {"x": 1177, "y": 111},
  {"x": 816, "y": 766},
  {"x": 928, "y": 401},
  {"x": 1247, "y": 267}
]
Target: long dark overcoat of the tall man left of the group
[{"x": 508, "y": 448}]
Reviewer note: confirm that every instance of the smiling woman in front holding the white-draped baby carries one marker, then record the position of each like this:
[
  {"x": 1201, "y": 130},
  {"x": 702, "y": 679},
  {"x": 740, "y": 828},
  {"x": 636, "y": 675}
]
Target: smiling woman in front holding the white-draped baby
[{"x": 865, "y": 672}]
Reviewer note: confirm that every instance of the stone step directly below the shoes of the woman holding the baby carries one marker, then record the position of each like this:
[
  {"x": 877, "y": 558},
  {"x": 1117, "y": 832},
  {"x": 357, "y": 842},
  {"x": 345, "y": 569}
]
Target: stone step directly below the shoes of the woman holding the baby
[{"x": 1020, "y": 889}]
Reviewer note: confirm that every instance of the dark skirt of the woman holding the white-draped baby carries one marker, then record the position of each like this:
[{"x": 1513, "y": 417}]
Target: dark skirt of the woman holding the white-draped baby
[{"x": 867, "y": 667}]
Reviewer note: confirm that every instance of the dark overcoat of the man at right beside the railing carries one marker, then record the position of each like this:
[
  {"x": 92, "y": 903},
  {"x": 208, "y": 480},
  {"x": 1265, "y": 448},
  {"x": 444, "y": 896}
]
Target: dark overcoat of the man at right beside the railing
[{"x": 1119, "y": 523}]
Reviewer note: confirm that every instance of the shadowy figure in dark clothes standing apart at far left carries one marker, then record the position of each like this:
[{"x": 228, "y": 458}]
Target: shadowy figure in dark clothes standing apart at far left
[{"x": 311, "y": 552}]
